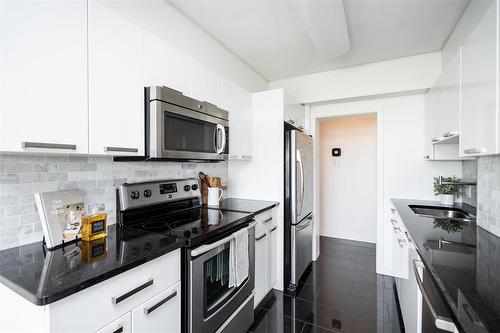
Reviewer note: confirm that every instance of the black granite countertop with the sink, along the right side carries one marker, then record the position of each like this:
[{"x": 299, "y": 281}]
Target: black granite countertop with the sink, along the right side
[{"x": 468, "y": 278}]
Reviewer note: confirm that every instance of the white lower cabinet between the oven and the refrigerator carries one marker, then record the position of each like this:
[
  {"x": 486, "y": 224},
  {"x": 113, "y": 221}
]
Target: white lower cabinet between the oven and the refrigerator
[{"x": 266, "y": 236}]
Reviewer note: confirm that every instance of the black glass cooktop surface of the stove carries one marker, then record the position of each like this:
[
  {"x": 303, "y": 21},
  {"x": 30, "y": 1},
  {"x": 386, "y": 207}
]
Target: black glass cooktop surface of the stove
[{"x": 194, "y": 225}]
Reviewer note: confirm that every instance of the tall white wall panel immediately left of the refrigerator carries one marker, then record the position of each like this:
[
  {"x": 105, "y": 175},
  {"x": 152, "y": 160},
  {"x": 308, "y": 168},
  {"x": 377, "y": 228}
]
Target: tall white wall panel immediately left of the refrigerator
[{"x": 262, "y": 177}]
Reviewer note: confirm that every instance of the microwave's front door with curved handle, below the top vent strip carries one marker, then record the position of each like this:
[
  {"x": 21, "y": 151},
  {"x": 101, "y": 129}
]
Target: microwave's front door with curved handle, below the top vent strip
[{"x": 181, "y": 133}]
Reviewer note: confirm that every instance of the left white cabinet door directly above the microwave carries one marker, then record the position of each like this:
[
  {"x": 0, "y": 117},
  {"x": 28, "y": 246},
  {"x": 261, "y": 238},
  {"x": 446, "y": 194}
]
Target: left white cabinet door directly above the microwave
[{"x": 166, "y": 66}]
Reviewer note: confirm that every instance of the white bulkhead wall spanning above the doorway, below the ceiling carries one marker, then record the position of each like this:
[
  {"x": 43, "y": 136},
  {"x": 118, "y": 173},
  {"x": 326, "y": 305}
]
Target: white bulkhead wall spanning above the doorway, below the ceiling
[{"x": 414, "y": 73}]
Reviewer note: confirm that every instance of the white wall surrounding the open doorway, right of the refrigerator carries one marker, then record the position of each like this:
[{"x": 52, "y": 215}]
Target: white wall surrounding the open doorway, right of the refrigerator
[{"x": 401, "y": 170}]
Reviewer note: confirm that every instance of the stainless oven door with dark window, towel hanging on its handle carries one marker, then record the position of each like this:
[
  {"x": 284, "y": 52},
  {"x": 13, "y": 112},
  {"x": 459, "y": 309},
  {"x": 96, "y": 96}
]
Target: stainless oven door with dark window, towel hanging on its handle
[{"x": 211, "y": 301}]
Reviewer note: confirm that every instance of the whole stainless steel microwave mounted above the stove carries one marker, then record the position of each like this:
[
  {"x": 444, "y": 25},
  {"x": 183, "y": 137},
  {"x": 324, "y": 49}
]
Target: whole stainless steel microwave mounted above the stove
[{"x": 182, "y": 128}]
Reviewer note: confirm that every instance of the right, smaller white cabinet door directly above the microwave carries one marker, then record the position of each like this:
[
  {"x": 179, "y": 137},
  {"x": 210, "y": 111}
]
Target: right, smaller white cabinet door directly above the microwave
[{"x": 206, "y": 85}]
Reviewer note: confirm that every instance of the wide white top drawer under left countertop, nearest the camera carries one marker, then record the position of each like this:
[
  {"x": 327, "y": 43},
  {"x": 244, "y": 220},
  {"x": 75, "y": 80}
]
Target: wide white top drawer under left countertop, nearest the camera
[{"x": 116, "y": 296}]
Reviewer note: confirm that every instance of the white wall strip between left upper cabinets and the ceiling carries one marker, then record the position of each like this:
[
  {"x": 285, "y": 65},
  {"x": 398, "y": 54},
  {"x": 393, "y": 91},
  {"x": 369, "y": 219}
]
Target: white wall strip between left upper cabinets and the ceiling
[{"x": 166, "y": 22}]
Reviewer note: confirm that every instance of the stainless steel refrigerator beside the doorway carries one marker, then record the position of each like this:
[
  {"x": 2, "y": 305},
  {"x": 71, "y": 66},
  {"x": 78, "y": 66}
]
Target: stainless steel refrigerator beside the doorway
[{"x": 298, "y": 205}]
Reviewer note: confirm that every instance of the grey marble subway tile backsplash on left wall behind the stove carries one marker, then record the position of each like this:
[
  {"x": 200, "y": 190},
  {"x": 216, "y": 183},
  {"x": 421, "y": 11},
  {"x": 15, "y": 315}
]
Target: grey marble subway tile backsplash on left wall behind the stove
[{"x": 21, "y": 176}]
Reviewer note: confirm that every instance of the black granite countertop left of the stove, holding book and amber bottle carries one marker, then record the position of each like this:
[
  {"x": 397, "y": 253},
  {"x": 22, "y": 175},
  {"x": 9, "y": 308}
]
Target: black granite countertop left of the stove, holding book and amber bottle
[{"x": 43, "y": 277}]
